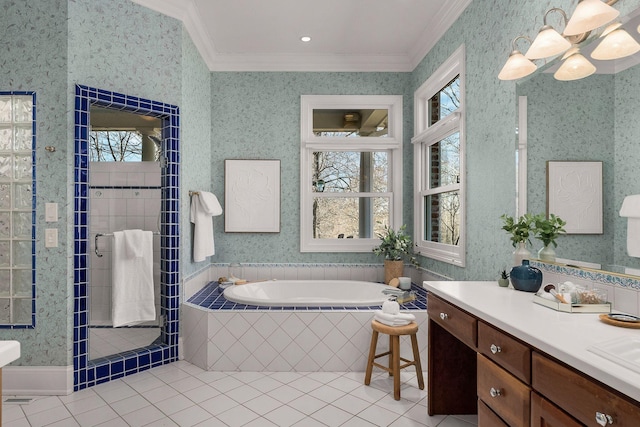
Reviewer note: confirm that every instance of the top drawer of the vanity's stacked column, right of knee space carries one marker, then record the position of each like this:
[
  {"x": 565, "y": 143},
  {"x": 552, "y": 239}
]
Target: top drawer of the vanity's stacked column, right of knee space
[{"x": 506, "y": 351}]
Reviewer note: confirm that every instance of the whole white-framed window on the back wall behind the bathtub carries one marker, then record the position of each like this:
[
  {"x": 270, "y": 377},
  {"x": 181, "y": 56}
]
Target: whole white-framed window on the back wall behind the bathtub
[{"x": 351, "y": 171}]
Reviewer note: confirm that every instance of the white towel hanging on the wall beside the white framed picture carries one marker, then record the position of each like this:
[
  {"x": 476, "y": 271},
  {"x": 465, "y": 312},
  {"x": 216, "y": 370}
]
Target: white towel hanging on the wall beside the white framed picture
[{"x": 203, "y": 207}]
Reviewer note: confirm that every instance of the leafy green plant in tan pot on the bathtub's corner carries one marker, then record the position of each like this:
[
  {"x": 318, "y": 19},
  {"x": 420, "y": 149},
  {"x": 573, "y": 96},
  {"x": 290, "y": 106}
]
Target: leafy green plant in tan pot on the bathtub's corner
[{"x": 395, "y": 246}]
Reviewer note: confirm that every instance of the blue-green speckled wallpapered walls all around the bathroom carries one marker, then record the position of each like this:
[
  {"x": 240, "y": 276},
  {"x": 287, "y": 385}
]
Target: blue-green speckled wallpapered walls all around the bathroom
[{"x": 51, "y": 45}]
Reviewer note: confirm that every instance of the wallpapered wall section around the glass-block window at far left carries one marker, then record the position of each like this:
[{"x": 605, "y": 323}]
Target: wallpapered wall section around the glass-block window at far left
[{"x": 34, "y": 58}]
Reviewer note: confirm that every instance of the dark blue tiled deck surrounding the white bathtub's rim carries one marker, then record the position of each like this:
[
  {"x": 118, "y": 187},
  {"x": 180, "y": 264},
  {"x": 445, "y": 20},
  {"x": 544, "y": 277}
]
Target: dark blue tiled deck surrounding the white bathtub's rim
[{"x": 211, "y": 297}]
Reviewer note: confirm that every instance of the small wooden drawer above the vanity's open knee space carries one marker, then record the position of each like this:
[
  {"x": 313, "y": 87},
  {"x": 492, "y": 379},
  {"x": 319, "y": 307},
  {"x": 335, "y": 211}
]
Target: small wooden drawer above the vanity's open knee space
[{"x": 462, "y": 325}]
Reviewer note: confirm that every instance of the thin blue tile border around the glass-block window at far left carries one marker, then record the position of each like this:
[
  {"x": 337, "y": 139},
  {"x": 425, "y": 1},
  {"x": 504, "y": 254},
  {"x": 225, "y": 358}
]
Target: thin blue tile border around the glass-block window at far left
[{"x": 32, "y": 324}]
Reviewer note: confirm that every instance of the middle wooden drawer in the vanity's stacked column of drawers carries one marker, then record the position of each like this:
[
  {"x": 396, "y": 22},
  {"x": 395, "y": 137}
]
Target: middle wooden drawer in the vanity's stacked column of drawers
[{"x": 503, "y": 393}]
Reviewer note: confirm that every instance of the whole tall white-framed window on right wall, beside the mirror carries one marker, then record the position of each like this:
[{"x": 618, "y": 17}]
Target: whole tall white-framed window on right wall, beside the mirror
[{"x": 439, "y": 163}]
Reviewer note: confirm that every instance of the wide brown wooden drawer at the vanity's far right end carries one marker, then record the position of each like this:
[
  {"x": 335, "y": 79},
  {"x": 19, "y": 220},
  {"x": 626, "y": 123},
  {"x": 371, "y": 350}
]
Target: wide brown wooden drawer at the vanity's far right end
[{"x": 581, "y": 396}]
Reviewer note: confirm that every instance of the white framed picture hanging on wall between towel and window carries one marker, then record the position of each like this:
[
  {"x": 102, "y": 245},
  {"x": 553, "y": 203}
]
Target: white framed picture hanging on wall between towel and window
[{"x": 252, "y": 196}]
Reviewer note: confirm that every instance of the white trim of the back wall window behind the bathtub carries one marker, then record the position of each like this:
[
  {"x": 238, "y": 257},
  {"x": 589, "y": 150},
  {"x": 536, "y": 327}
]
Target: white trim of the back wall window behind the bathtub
[{"x": 310, "y": 143}]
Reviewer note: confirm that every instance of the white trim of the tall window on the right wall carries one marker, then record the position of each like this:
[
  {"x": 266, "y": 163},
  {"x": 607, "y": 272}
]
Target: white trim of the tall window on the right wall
[{"x": 452, "y": 67}]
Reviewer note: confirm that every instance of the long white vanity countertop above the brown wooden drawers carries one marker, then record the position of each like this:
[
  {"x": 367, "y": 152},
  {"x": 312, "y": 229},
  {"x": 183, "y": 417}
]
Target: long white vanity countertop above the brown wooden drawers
[{"x": 565, "y": 336}]
